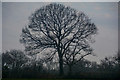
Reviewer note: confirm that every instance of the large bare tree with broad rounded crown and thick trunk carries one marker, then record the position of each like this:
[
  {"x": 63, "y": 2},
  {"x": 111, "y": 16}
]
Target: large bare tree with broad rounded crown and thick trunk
[{"x": 57, "y": 27}]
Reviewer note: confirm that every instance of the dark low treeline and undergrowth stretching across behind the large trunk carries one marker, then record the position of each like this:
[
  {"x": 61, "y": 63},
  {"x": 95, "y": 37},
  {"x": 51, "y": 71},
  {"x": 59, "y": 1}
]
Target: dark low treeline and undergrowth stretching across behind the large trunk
[{"x": 15, "y": 64}]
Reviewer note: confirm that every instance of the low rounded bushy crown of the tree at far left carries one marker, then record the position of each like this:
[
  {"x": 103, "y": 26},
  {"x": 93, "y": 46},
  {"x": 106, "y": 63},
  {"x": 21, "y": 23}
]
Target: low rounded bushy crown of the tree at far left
[{"x": 14, "y": 58}]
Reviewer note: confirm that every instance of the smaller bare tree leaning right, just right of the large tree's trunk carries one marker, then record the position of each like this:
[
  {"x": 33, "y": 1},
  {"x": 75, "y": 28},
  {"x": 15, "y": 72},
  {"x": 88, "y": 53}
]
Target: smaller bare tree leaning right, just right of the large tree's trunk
[{"x": 76, "y": 53}]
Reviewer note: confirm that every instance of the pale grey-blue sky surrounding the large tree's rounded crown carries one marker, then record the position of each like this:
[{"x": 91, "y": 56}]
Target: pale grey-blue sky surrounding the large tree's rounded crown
[{"x": 104, "y": 15}]
